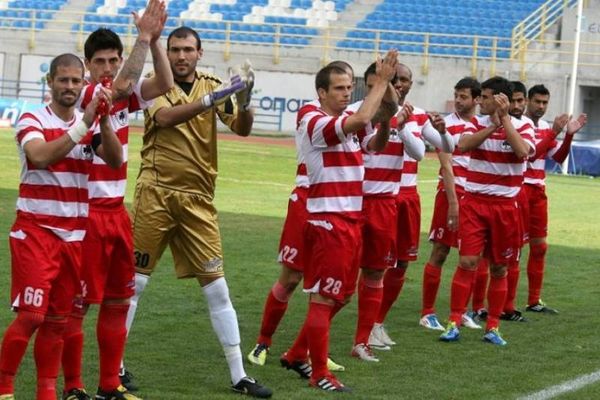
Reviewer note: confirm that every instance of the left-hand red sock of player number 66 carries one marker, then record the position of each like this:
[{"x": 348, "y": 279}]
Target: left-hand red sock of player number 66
[{"x": 14, "y": 344}]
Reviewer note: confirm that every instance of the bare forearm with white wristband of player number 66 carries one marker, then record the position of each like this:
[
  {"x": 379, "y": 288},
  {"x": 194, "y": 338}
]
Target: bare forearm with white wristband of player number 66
[{"x": 42, "y": 153}]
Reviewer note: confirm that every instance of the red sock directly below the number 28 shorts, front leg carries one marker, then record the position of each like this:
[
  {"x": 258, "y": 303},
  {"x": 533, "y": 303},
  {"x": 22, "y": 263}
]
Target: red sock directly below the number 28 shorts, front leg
[{"x": 318, "y": 322}]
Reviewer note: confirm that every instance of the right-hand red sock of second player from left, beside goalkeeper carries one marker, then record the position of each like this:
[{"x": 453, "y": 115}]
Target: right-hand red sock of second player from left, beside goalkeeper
[{"x": 111, "y": 334}]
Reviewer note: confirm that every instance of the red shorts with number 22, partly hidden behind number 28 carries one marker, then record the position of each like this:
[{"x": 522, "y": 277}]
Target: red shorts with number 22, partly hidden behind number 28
[{"x": 291, "y": 245}]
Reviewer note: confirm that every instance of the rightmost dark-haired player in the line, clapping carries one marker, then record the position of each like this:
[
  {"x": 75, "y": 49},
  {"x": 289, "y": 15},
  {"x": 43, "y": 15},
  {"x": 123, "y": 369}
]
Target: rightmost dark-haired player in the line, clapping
[{"x": 535, "y": 187}]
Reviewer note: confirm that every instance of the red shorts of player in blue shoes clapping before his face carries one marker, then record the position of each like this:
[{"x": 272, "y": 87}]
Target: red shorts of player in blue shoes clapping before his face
[{"x": 490, "y": 227}]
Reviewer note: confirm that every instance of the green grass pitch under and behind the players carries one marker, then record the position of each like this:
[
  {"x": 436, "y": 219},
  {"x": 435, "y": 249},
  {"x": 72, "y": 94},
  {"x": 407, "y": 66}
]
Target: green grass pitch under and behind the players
[{"x": 175, "y": 355}]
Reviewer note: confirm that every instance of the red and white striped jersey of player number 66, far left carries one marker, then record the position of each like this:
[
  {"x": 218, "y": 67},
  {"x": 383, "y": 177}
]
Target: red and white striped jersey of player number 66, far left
[{"x": 55, "y": 197}]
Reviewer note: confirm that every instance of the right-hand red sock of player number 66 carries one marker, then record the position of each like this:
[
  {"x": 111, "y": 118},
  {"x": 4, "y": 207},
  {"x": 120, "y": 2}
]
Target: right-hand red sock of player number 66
[{"x": 47, "y": 352}]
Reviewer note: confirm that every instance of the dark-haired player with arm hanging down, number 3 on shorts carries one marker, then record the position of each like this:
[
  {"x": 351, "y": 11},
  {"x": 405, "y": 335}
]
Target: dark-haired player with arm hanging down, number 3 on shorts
[{"x": 446, "y": 215}]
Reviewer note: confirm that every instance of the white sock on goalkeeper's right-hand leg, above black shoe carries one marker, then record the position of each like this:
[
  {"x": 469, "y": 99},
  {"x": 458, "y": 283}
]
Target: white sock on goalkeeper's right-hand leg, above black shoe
[{"x": 225, "y": 325}]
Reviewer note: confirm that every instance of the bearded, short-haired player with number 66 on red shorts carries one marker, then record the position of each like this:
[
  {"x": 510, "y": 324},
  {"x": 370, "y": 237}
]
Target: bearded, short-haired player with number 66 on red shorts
[{"x": 52, "y": 209}]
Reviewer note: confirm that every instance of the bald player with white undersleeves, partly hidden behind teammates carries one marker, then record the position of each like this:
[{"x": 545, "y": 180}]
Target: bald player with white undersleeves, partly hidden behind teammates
[{"x": 431, "y": 127}]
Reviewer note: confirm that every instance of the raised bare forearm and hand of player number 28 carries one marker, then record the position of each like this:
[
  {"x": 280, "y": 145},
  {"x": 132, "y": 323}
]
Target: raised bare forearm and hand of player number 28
[{"x": 386, "y": 69}]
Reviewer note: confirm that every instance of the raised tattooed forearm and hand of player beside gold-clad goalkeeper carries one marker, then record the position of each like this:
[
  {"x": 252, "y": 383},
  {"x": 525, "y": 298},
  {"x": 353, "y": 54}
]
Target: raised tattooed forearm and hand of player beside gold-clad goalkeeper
[{"x": 147, "y": 25}]
